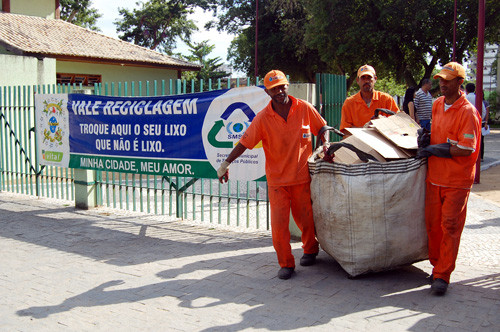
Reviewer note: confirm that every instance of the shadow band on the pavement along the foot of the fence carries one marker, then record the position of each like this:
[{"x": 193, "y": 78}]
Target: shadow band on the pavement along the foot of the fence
[{"x": 120, "y": 241}]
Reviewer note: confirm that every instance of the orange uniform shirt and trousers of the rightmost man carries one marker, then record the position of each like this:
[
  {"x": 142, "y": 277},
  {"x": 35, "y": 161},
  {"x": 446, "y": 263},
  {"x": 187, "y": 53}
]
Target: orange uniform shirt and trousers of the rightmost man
[{"x": 449, "y": 181}]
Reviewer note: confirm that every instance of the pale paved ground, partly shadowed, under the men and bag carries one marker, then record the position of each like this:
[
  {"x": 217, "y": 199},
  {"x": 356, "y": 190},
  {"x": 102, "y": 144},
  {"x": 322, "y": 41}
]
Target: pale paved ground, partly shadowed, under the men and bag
[{"x": 64, "y": 269}]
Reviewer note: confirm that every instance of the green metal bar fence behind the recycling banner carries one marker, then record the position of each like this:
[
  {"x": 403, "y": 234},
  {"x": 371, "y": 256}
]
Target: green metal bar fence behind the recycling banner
[{"x": 236, "y": 204}]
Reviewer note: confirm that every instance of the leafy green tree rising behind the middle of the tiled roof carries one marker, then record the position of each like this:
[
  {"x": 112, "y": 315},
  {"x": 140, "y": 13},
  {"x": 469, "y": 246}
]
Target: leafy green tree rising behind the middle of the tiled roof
[{"x": 157, "y": 24}]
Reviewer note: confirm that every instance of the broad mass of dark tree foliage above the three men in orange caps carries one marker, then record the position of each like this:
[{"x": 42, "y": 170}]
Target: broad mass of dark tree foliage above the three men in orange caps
[{"x": 404, "y": 39}]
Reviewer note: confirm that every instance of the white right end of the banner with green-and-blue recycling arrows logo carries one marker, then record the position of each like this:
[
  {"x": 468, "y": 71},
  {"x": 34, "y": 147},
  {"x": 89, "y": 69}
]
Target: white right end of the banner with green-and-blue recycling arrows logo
[{"x": 227, "y": 119}]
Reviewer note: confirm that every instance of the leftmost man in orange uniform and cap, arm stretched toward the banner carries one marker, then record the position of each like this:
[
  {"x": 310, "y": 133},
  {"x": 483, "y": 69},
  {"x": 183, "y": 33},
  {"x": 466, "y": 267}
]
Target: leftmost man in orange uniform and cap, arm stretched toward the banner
[{"x": 285, "y": 128}]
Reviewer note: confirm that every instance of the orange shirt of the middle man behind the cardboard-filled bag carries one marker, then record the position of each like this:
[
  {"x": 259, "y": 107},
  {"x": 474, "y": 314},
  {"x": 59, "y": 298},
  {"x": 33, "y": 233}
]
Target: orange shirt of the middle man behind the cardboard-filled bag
[{"x": 355, "y": 112}]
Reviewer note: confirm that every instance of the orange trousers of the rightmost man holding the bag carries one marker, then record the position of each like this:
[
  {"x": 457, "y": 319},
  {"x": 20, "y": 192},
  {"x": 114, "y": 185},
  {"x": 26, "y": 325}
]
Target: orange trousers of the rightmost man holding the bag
[{"x": 445, "y": 212}]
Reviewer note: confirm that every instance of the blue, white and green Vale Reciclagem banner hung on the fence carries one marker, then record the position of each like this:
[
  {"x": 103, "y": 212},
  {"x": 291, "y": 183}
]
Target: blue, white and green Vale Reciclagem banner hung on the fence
[{"x": 182, "y": 135}]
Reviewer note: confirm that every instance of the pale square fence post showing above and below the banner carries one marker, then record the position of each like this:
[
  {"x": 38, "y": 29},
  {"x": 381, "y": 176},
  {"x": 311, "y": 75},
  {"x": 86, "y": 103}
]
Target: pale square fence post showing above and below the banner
[{"x": 85, "y": 181}]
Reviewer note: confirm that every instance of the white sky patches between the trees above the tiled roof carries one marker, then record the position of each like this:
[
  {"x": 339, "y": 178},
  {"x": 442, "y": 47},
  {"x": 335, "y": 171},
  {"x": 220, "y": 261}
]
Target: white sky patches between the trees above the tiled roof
[{"x": 109, "y": 11}]
